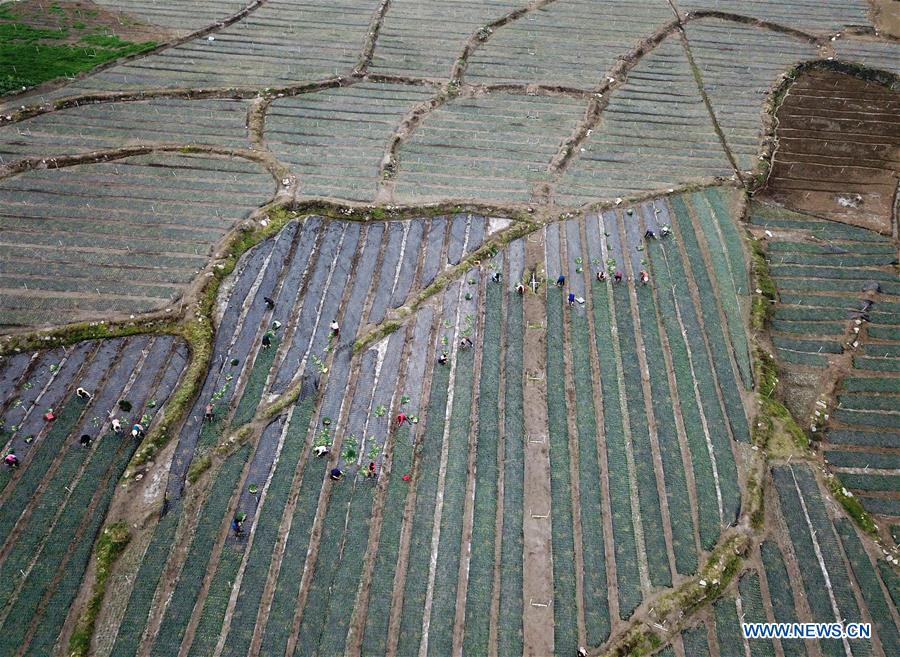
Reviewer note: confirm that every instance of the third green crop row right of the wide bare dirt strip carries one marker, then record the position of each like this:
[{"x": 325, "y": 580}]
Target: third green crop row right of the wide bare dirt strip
[{"x": 627, "y": 574}]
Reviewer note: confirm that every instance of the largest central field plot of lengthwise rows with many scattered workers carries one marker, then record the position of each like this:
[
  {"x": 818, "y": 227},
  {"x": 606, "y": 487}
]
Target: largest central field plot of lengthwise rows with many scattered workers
[{"x": 384, "y": 562}]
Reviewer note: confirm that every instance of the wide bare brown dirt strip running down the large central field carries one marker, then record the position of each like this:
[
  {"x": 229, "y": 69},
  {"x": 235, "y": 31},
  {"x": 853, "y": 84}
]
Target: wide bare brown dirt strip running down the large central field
[{"x": 537, "y": 582}]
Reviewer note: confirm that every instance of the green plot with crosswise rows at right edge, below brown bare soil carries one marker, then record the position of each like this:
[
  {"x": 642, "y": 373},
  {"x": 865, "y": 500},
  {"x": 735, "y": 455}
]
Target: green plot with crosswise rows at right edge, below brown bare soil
[{"x": 838, "y": 307}]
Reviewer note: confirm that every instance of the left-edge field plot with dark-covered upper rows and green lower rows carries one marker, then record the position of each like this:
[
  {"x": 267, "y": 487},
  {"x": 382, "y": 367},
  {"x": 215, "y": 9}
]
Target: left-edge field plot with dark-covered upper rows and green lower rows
[{"x": 52, "y": 506}]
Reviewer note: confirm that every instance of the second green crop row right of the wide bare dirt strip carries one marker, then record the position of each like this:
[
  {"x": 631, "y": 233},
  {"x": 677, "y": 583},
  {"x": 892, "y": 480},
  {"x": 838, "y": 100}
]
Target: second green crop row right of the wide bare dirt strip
[{"x": 596, "y": 606}]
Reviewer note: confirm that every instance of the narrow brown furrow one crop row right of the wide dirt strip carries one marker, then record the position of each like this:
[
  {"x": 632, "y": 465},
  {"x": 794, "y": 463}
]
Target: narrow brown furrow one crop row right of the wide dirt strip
[{"x": 574, "y": 439}]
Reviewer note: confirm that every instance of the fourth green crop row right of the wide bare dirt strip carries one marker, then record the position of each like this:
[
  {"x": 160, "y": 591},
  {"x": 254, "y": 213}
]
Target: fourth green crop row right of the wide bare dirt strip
[{"x": 648, "y": 493}]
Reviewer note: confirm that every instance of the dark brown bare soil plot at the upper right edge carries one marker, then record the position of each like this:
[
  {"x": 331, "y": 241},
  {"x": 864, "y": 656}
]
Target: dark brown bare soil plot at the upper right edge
[{"x": 838, "y": 151}]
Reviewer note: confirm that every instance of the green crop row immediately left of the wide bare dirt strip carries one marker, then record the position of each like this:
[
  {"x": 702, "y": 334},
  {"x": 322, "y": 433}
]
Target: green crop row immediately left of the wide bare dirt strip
[{"x": 509, "y": 632}]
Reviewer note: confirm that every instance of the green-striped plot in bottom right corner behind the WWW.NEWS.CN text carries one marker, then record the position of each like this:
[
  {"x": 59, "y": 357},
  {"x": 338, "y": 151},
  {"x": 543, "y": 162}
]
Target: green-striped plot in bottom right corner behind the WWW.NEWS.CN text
[{"x": 814, "y": 566}]
